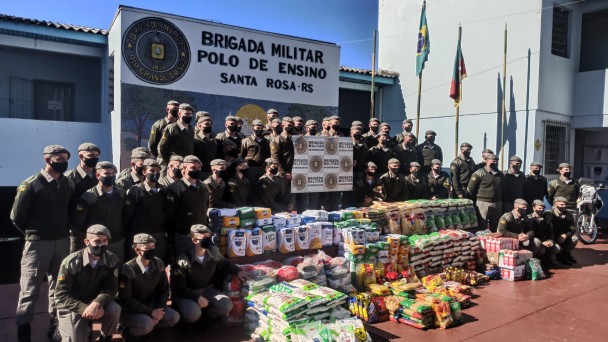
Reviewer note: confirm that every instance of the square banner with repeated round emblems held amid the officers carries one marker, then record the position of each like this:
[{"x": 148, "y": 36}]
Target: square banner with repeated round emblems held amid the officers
[{"x": 322, "y": 164}]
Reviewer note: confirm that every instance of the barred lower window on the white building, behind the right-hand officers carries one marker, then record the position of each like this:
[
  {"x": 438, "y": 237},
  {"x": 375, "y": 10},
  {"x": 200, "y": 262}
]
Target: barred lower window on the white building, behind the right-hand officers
[{"x": 557, "y": 138}]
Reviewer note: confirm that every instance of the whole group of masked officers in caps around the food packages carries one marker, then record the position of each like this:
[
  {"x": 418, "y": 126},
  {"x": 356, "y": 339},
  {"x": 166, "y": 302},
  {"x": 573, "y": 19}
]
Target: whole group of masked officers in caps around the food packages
[{"x": 155, "y": 211}]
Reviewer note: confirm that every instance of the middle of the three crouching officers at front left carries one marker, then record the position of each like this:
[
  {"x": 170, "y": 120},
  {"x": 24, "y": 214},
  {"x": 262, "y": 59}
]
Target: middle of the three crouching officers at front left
[{"x": 143, "y": 291}]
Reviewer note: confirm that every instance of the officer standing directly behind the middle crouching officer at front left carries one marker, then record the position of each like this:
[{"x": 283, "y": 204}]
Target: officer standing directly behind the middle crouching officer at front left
[{"x": 146, "y": 209}]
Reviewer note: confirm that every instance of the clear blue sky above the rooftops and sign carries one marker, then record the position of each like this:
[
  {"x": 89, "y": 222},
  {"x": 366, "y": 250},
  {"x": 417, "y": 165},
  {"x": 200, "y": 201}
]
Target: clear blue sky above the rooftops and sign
[{"x": 349, "y": 23}]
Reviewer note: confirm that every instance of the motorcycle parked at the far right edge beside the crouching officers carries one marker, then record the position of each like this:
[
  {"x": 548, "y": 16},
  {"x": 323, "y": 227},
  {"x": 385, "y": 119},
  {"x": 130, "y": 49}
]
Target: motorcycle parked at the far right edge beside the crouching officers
[{"x": 588, "y": 205}]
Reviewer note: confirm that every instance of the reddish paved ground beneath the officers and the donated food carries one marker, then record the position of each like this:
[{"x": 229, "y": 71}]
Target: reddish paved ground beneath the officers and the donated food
[{"x": 572, "y": 305}]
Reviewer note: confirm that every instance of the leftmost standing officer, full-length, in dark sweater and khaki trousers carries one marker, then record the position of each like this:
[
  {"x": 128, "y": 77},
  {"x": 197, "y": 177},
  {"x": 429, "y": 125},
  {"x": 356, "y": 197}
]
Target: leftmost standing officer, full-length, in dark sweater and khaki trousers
[{"x": 41, "y": 213}]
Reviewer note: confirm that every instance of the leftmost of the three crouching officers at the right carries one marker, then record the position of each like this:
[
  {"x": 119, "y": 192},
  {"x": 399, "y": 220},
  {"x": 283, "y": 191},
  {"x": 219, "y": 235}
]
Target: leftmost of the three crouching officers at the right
[{"x": 516, "y": 225}]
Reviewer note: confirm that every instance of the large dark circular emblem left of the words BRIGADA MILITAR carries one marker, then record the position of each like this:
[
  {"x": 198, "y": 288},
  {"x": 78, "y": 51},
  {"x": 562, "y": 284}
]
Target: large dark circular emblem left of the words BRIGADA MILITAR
[{"x": 156, "y": 51}]
